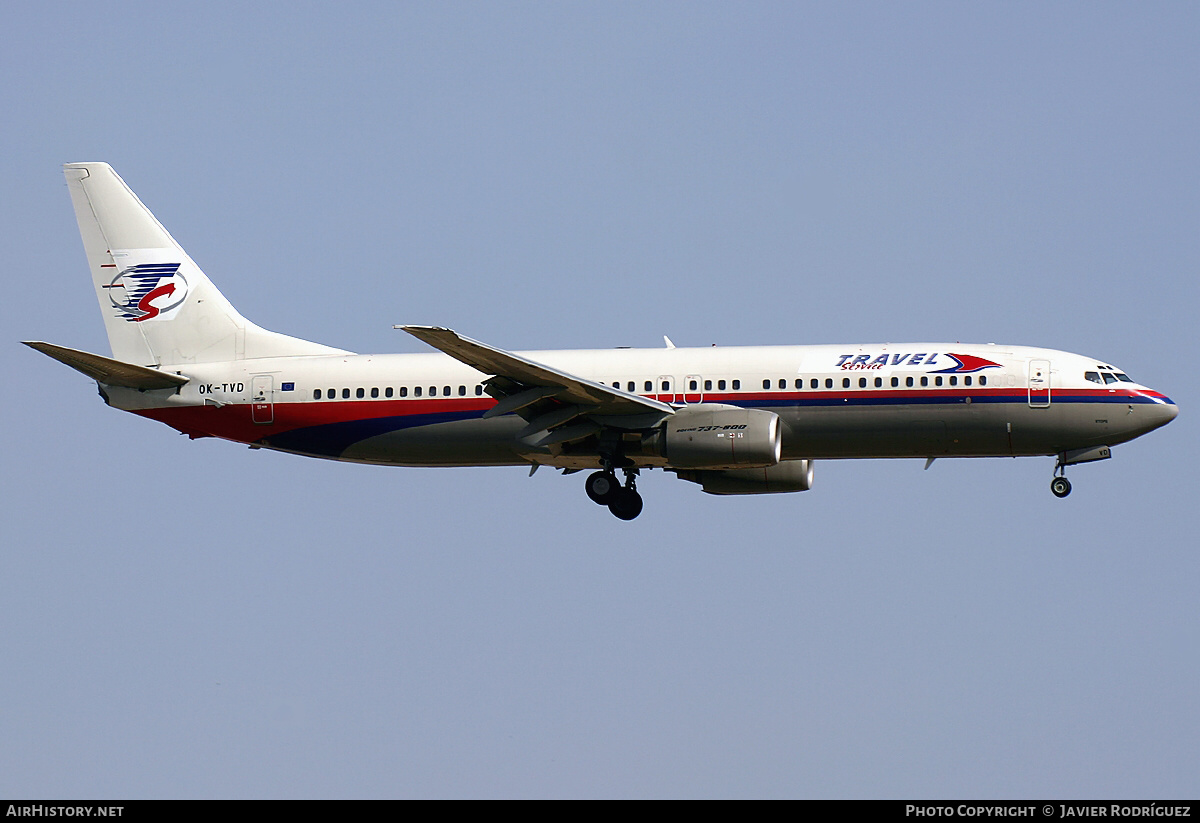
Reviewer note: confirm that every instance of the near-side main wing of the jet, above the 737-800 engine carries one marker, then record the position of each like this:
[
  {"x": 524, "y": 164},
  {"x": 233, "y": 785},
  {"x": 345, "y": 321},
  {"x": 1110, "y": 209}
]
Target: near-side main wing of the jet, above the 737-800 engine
[{"x": 583, "y": 406}]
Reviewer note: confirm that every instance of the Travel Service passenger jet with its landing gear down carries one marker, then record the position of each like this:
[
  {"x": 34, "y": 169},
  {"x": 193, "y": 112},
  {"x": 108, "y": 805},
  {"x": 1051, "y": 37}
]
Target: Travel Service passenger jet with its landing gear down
[{"x": 735, "y": 420}]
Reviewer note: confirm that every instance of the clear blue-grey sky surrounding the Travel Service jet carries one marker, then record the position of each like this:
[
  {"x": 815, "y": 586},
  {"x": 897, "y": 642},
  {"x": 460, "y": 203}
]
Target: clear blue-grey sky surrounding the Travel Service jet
[{"x": 197, "y": 620}]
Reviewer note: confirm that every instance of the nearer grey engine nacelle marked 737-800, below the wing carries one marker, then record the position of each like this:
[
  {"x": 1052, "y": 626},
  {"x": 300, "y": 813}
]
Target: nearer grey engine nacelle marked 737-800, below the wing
[{"x": 715, "y": 436}]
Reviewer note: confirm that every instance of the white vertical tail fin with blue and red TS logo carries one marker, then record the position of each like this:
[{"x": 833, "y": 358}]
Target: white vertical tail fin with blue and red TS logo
[{"x": 159, "y": 307}]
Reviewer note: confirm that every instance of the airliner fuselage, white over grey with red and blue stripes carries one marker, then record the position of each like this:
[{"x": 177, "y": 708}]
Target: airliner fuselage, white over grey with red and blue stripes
[{"x": 923, "y": 400}]
